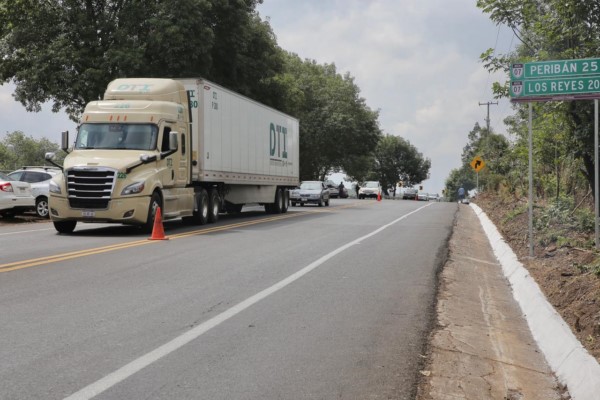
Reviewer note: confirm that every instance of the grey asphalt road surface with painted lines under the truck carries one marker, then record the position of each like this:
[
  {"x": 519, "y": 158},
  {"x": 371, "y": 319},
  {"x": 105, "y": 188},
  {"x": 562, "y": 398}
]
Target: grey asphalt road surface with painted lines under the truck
[{"x": 319, "y": 303}]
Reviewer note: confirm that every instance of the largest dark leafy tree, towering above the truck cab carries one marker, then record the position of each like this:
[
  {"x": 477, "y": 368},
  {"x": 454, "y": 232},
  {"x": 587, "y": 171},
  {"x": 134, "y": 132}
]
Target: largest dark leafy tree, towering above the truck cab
[{"x": 67, "y": 51}]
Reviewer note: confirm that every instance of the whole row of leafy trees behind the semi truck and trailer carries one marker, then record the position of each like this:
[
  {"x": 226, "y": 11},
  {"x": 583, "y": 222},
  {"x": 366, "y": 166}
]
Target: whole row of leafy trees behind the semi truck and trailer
[{"x": 66, "y": 53}]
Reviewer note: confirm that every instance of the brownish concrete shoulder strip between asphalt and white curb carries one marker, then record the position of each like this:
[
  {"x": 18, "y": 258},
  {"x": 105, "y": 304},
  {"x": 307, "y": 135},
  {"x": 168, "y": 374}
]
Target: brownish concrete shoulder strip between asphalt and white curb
[{"x": 481, "y": 347}]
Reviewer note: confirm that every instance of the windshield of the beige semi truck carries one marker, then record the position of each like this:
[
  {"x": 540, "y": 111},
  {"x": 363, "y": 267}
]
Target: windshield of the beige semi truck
[{"x": 117, "y": 136}]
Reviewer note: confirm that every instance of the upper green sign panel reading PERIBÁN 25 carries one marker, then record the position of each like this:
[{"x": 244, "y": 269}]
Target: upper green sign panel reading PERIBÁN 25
[{"x": 558, "y": 68}]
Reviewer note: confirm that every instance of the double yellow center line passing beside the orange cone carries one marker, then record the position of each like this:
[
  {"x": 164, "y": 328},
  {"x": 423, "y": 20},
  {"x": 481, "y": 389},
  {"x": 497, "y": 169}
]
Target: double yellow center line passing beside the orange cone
[{"x": 16, "y": 265}]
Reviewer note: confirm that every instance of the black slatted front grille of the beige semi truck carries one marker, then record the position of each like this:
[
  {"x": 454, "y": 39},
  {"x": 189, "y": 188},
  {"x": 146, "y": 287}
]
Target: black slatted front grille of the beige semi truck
[{"x": 90, "y": 188}]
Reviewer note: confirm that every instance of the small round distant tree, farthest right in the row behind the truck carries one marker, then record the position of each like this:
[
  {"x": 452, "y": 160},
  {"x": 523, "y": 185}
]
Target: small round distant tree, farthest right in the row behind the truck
[{"x": 398, "y": 160}]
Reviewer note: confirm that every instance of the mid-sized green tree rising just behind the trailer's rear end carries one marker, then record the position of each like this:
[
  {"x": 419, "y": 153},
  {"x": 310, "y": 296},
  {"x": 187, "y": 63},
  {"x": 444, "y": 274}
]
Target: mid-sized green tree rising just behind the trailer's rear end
[{"x": 338, "y": 130}]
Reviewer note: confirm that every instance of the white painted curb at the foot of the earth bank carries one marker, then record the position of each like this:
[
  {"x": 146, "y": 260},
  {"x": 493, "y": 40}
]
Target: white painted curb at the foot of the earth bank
[{"x": 569, "y": 360}]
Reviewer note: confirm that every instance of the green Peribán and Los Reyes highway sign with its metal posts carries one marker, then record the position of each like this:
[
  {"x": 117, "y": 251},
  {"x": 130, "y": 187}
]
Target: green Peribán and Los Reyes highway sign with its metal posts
[{"x": 557, "y": 80}]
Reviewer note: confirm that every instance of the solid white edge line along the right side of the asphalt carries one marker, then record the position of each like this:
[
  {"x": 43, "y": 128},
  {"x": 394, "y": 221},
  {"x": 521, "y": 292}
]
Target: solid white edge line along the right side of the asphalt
[{"x": 147, "y": 359}]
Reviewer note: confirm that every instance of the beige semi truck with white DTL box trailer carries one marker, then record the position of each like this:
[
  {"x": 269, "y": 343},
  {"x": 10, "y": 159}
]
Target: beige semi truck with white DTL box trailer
[{"x": 188, "y": 146}]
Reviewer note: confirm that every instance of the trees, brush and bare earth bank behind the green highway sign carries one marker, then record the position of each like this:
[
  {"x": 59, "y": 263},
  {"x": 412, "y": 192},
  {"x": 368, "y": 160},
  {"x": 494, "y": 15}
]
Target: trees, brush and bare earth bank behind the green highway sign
[{"x": 566, "y": 263}]
